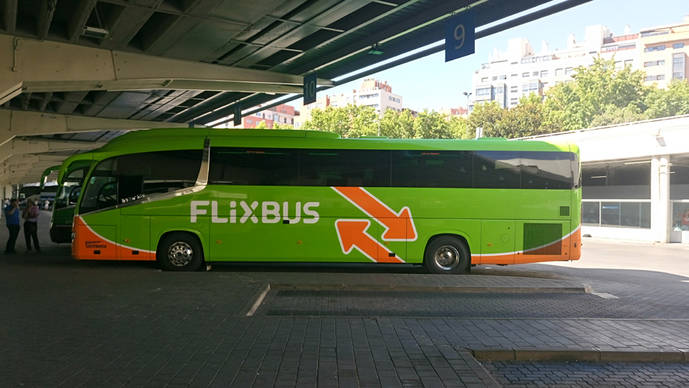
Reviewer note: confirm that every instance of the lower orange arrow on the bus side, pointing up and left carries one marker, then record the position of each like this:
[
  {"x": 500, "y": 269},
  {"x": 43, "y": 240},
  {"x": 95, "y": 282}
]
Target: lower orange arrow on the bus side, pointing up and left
[{"x": 352, "y": 233}]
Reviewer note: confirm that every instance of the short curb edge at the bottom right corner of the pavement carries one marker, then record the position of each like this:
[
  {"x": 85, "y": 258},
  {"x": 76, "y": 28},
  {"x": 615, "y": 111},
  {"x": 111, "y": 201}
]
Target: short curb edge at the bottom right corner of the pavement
[{"x": 677, "y": 356}]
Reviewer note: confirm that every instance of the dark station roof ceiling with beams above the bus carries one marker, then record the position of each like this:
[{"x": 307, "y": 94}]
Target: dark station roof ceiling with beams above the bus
[{"x": 174, "y": 62}]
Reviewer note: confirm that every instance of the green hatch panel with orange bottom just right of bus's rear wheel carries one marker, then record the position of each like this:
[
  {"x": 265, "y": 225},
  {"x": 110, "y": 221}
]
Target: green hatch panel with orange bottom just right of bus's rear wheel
[{"x": 497, "y": 241}]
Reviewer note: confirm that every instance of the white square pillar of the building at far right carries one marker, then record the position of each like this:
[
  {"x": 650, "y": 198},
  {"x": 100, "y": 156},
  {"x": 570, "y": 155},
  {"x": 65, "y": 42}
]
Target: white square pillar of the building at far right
[{"x": 660, "y": 198}]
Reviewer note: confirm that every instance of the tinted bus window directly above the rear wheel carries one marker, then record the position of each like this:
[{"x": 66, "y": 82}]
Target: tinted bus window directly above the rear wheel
[{"x": 431, "y": 168}]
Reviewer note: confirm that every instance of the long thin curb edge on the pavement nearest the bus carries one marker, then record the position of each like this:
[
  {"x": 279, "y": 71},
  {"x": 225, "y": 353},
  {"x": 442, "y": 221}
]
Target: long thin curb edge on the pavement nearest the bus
[{"x": 440, "y": 289}]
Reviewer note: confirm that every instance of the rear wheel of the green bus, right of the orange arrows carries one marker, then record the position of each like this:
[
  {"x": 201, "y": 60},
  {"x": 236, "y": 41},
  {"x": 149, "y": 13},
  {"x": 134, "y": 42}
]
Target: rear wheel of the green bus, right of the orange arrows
[{"x": 447, "y": 255}]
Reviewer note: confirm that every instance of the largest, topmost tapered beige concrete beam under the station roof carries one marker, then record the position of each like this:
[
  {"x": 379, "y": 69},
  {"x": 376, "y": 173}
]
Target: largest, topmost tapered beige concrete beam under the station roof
[{"x": 77, "y": 68}]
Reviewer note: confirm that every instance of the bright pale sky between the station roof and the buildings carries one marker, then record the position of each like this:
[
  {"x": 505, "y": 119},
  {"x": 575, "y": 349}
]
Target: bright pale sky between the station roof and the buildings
[{"x": 431, "y": 83}]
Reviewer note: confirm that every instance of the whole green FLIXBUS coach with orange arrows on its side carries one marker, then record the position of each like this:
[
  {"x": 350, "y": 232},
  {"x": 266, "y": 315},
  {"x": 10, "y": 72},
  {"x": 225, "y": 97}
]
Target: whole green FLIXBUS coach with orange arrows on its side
[{"x": 185, "y": 197}]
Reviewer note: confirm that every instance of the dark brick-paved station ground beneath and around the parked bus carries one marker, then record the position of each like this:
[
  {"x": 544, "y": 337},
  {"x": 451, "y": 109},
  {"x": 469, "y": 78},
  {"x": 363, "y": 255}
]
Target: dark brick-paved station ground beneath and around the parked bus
[{"x": 70, "y": 323}]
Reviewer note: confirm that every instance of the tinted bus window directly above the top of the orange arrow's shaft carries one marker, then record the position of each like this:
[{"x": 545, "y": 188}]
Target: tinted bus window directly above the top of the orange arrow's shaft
[{"x": 344, "y": 168}]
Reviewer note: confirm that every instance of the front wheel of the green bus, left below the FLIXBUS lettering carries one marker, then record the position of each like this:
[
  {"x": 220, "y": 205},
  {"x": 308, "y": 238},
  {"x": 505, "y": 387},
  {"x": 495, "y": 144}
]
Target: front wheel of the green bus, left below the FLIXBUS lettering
[{"x": 180, "y": 252}]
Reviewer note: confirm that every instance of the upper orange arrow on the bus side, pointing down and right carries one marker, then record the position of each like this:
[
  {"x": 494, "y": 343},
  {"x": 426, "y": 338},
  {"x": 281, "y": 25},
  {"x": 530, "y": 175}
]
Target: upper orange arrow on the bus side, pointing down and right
[{"x": 398, "y": 226}]
